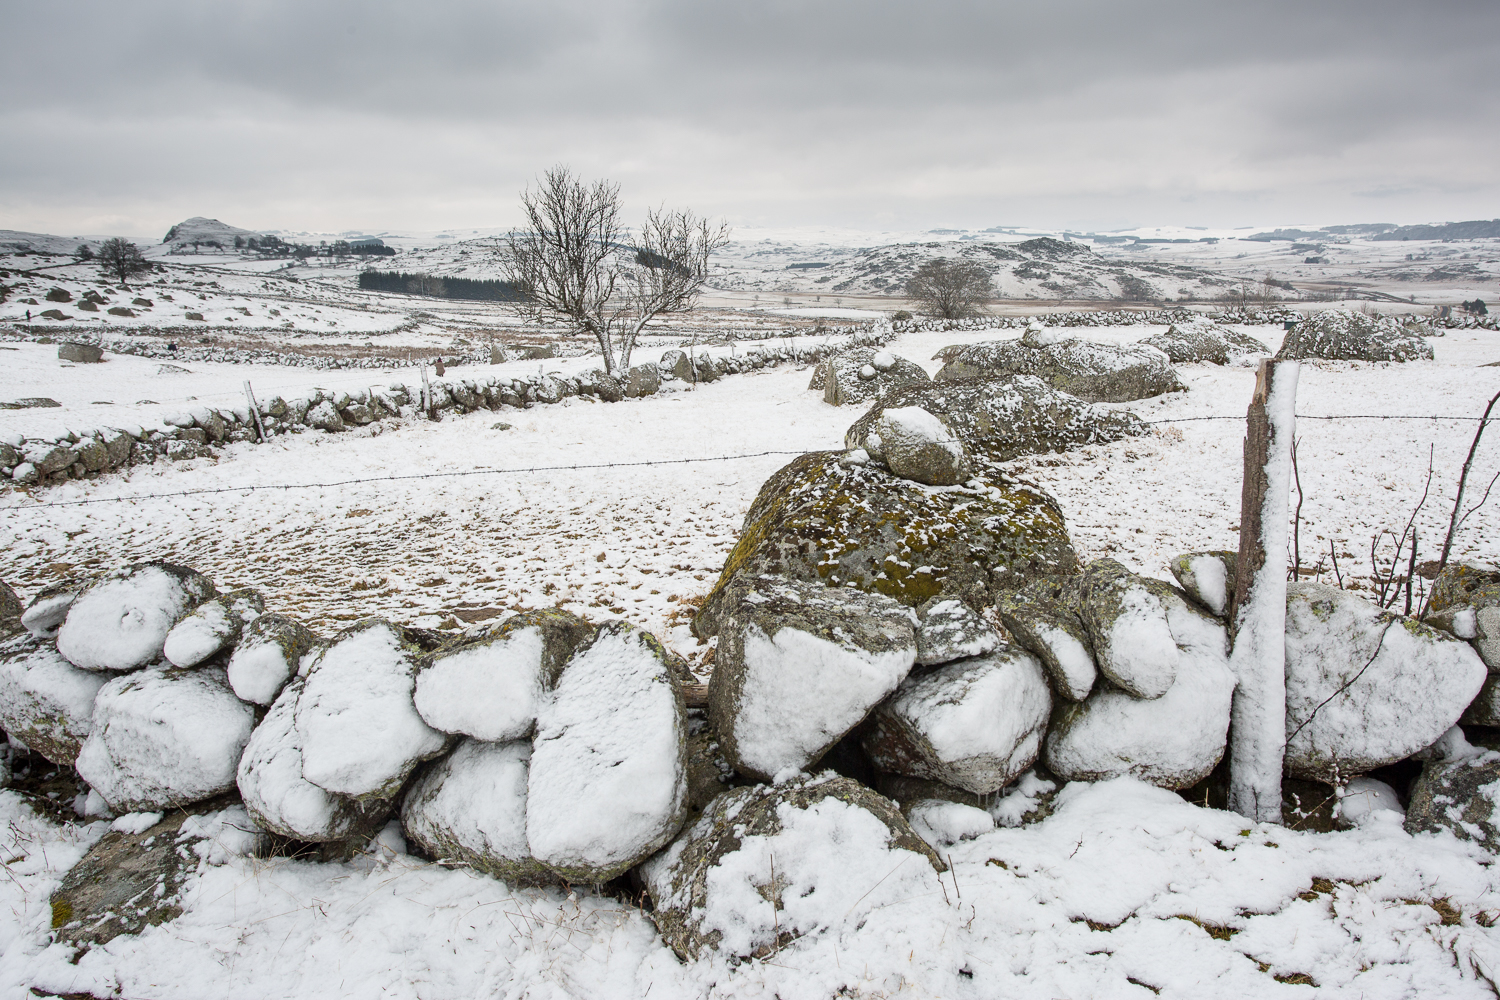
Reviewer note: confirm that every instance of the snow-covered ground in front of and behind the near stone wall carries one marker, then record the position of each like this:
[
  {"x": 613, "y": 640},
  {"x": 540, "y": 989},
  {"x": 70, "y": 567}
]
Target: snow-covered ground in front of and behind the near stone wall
[{"x": 1126, "y": 891}]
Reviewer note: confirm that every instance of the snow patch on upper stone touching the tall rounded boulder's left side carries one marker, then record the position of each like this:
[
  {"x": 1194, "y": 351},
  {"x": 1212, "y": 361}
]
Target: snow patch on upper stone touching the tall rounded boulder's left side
[{"x": 490, "y": 692}]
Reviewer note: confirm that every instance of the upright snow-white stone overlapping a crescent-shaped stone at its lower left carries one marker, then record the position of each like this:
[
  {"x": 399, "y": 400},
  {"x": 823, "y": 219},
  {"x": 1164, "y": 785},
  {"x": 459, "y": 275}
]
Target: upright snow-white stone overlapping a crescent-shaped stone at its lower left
[{"x": 359, "y": 731}]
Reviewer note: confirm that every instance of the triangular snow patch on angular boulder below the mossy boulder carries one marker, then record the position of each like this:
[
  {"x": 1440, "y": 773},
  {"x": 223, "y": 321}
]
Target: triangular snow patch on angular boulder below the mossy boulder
[{"x": 802, "y": 693}]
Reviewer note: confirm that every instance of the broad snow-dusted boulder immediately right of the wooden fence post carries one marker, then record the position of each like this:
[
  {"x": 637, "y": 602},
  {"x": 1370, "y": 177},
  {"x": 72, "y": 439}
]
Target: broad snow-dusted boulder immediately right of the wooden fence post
[{"x": 1366, "y": 687}]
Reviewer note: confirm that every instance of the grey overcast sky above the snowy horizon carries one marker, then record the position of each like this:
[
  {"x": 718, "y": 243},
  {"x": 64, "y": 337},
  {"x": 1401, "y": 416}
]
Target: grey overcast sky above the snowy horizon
[{"x": 1090, "y": 115}]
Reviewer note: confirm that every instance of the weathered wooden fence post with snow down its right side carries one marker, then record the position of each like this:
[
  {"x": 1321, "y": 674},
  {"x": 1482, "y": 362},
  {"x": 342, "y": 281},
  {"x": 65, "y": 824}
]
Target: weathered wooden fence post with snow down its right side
[{"x": 1258, "y": 611}]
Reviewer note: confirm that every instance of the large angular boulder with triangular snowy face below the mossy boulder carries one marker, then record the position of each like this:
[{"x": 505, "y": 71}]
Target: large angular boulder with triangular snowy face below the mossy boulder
[{"x": 799, "y": 666}]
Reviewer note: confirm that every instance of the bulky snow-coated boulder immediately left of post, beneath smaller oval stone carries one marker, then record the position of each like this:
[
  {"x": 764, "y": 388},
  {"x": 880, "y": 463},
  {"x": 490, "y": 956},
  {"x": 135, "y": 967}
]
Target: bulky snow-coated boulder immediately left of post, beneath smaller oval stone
[{"x": 1172, "y": 741}]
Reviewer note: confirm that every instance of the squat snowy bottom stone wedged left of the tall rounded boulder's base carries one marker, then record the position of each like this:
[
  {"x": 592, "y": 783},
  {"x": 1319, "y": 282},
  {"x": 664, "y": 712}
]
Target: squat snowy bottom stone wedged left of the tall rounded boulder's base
[{"x": 470, "y": 807}]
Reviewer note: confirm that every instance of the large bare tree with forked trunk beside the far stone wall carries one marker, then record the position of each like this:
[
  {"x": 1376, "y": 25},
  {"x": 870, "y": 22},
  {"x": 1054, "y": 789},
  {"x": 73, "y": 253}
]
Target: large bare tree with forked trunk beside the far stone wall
[{"x": 575, "y": 260}]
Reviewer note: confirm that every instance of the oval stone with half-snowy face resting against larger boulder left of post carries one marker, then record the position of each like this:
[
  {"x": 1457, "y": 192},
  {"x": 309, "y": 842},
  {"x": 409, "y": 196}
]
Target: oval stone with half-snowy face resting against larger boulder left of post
[{"x": 1129, "y": 630}]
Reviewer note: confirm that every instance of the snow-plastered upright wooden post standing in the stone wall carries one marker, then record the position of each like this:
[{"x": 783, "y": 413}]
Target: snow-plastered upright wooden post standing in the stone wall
[{"x": 1259, "y": 654}]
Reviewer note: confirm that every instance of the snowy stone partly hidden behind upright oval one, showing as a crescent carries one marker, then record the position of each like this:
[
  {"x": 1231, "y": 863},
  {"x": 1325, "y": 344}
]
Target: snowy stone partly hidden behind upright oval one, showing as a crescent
[{"x": 281, "y": 801}]
